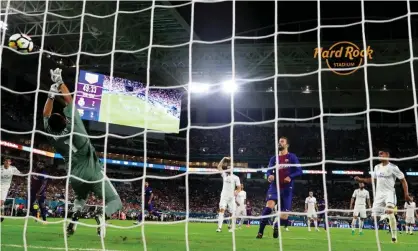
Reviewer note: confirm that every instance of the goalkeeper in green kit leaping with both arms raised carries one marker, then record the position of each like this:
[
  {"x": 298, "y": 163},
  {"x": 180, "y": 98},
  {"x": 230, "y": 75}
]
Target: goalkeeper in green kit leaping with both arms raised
[{"x": 85, "y": 164}]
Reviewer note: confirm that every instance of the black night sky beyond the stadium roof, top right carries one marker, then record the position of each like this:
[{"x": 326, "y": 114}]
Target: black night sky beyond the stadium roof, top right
[{"x": 213, "y": 21}]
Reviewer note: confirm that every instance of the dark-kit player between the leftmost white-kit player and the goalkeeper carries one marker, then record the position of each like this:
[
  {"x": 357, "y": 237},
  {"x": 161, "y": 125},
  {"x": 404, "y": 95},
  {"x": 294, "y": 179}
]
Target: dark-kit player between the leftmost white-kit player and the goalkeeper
[{"x": 38, "y": 186}]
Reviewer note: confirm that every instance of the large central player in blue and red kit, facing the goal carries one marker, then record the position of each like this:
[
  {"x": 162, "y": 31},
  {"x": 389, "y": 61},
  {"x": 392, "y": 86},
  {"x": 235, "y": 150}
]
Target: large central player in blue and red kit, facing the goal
[{"x": 287, "y": 174}]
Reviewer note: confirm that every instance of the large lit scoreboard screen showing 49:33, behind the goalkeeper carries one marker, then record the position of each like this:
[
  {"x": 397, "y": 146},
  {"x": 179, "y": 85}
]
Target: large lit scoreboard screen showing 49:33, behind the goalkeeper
[{"x": 124, "y": 102}]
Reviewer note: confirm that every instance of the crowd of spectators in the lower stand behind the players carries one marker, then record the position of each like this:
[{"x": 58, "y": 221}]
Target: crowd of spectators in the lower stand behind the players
[{"x": 170, "y": 194}]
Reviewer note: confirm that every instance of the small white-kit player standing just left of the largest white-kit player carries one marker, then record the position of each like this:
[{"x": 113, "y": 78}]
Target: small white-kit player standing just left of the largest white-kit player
[{"x": 360, "y": 196}]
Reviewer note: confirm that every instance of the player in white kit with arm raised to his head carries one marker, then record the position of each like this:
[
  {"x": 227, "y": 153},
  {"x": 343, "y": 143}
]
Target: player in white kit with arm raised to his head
[{"x": 230, "y": 183}]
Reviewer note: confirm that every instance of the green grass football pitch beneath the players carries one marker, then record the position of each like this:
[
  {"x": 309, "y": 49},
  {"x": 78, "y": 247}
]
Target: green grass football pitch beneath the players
[{"x": 201, "y": 237}]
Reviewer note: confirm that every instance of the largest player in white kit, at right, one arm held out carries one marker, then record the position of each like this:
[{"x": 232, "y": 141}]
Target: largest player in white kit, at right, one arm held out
[{"x": 384, "y": 203}]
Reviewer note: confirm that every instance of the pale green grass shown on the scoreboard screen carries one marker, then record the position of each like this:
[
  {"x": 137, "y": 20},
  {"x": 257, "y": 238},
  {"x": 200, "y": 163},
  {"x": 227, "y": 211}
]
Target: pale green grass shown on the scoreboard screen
[{"x": 130, "y": 111}]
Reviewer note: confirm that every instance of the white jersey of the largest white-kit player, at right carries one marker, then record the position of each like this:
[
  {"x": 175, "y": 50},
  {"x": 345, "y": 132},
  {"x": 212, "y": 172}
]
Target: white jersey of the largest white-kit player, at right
[{"x": 386, "y": 177}]
